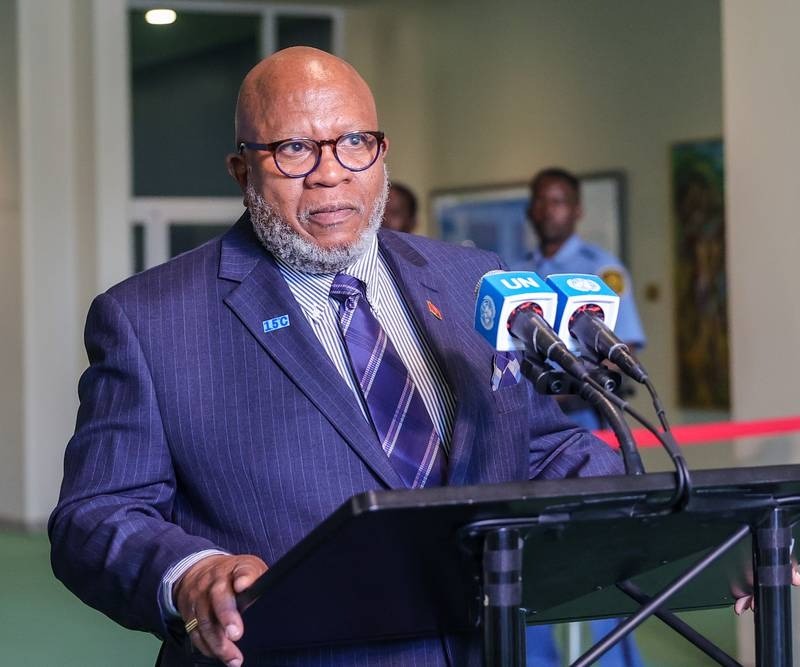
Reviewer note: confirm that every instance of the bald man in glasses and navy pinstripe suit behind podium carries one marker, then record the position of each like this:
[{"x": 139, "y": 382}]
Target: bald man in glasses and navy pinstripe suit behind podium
[{"x": 223, "y": 414}]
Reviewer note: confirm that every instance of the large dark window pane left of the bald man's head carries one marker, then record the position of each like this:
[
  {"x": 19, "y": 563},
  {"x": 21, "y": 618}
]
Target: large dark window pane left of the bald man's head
[{"x": 185, "y": 78}]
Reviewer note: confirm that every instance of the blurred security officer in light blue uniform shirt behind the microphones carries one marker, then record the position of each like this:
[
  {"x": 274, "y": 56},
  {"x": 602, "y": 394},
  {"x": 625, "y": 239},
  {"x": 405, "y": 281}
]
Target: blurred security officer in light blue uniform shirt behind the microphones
[{"x": 554, "y": 212}]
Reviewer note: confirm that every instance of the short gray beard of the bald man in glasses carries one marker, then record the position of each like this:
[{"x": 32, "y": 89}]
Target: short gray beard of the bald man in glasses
[{"x": 281, "y": 240}]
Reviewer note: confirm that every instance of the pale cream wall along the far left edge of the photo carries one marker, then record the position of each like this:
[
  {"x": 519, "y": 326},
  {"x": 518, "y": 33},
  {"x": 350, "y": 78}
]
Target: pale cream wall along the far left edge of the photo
[{"x": 48, "y": 218}]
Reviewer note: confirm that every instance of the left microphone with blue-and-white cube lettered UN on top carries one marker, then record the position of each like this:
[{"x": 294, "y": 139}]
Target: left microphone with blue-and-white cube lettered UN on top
[{"x": 513, "y": 311}]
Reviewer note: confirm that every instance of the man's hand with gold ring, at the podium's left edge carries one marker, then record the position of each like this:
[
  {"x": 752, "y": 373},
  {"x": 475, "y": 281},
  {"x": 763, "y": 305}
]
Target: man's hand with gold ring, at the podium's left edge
[{"x": 207, "y": 591}]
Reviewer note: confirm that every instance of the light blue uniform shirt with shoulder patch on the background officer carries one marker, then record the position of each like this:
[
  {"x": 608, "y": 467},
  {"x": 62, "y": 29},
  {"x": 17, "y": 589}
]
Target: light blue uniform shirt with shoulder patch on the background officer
[{"x": 578, "y": 256}]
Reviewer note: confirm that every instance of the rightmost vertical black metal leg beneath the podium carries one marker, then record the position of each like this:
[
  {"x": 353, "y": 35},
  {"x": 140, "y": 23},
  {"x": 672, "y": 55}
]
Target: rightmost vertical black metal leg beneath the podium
[{"x": 773, "y": 577}]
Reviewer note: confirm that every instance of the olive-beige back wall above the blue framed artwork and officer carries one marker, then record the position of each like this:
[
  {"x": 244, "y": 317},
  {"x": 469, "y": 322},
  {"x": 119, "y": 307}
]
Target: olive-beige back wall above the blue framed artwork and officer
[{"x": 474, "y": 92}]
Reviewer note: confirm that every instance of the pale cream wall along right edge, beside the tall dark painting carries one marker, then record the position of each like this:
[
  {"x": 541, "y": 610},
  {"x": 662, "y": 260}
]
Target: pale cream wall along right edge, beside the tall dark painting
[{"x": 762, "y": 98}]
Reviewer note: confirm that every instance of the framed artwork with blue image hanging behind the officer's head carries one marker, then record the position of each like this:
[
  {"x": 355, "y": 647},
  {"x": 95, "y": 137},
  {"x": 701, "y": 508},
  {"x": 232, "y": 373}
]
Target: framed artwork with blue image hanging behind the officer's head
[{"x": 494, "y": 217}]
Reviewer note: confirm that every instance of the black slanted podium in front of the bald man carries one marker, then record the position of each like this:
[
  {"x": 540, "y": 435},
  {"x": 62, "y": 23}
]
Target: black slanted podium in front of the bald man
[{"x": 475, "y": 559}]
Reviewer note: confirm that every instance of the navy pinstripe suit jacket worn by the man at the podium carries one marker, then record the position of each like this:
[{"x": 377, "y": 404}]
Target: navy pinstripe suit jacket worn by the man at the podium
[{"x": 197, "y": 429}]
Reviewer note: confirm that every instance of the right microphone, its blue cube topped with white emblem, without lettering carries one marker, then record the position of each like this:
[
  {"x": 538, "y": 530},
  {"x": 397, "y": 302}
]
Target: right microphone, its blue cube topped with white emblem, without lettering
[{"x": 587, "y": 313}]
